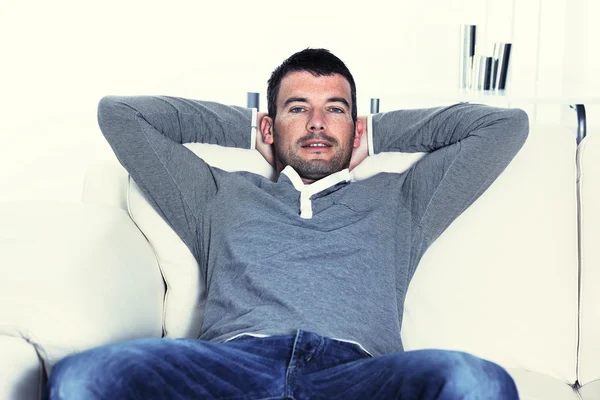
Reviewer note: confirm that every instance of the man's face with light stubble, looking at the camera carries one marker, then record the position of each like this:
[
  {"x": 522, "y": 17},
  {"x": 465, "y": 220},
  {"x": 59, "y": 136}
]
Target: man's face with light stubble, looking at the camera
[{"x": 313, "y": 131}]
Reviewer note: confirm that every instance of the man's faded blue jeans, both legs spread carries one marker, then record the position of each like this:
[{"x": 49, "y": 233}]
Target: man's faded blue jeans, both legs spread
[{"x": 304, "y": 366}]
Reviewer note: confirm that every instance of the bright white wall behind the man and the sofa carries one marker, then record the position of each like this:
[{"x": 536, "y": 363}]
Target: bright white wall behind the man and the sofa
[{"x": 58, "y": 58}]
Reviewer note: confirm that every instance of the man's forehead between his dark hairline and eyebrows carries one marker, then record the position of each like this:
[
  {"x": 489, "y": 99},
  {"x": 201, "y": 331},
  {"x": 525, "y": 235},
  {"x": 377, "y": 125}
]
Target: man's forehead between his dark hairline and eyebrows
[{"x": 305, "y": 84}]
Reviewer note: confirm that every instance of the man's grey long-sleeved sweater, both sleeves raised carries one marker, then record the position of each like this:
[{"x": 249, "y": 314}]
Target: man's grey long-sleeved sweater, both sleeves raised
[{"x": 342, "y": 269}]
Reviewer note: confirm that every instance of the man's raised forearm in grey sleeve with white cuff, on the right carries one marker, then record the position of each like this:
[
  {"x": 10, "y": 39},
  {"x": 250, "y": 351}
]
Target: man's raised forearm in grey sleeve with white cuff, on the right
[{"x": 427, "y": 130}]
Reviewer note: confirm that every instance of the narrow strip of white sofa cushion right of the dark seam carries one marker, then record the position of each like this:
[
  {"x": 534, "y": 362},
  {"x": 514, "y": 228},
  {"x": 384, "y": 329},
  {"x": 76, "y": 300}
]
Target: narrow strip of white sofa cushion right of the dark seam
[{"x": 588, "y": 159}]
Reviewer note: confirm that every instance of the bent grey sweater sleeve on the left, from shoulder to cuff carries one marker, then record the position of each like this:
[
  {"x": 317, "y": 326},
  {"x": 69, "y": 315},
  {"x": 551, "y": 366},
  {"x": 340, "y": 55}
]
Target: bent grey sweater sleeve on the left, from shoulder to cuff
[{"x": 147, "y": 136}]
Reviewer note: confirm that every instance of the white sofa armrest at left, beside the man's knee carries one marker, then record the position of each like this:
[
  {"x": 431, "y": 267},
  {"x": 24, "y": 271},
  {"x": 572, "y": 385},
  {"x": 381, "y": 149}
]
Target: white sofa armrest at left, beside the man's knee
[{"x": 76, "y": 276}]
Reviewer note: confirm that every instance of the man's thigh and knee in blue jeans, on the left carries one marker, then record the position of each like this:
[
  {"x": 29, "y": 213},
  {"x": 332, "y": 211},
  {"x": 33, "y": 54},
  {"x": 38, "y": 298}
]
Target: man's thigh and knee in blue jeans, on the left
[{"x": 173, "y": 369}]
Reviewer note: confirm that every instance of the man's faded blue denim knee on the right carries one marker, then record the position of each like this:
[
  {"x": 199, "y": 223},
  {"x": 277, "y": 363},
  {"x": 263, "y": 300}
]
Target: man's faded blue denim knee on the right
[{"x": 464, "y": 376}]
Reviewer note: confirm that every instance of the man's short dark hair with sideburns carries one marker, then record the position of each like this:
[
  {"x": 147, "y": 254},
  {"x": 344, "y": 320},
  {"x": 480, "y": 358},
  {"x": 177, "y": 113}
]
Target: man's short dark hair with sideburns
[{"x": 319, "y": 62}]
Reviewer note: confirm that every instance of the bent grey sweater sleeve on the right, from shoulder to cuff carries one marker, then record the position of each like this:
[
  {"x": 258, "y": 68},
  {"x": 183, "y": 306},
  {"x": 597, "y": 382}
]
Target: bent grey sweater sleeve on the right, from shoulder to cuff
[{"x": 468, "y": 146}]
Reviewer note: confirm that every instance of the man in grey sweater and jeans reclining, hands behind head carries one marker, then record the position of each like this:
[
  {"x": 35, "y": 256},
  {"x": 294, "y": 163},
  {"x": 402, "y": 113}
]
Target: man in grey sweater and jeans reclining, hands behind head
[{"x": 306, "y": 276}]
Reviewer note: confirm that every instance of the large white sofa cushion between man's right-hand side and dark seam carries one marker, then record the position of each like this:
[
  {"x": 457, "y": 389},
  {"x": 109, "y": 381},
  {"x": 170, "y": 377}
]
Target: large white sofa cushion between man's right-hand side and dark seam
[{"x": 501, "y": 281}]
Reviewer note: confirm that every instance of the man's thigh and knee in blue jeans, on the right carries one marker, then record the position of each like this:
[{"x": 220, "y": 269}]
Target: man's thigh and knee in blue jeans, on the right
[{"x": 420, "y": 374}]
